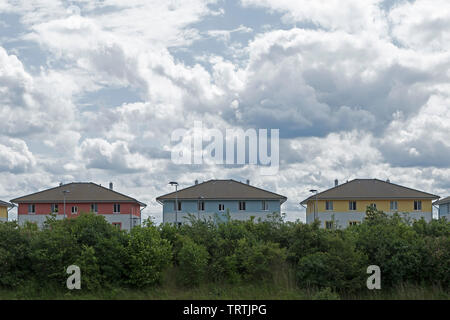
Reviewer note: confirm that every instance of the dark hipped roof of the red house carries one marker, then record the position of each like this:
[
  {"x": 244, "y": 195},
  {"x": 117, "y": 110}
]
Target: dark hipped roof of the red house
[{"x": 78, "y": 192}]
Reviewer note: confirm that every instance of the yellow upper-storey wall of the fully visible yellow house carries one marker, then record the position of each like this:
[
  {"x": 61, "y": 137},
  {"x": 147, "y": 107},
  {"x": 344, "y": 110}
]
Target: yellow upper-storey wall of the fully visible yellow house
[{"x": 361, "y": 205}]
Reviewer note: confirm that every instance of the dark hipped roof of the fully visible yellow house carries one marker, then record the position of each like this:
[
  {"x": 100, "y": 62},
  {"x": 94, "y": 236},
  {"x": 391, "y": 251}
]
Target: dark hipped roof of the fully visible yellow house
[{"x": 367, "y": 189}]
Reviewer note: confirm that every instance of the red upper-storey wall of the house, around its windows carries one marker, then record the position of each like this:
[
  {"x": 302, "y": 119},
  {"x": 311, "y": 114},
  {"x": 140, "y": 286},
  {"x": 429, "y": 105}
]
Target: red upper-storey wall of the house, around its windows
[{"x": 103, "y": 208}]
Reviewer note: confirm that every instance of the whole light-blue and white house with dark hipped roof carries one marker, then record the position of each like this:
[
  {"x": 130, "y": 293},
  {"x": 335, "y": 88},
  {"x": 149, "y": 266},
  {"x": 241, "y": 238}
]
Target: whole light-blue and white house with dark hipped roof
[{"x": 214, "y": 199}]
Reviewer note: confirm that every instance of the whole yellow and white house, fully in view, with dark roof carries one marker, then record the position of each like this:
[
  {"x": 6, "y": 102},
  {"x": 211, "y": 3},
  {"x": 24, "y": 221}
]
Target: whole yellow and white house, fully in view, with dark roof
[{"x": 346, "y": 204}]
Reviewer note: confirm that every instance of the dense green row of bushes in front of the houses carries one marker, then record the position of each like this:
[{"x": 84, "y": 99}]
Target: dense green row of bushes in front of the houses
[{"x": 231, "y": 254}]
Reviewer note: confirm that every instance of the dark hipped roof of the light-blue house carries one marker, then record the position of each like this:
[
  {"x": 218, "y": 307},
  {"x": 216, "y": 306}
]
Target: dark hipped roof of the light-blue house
[{"x": 222, "y": 190}]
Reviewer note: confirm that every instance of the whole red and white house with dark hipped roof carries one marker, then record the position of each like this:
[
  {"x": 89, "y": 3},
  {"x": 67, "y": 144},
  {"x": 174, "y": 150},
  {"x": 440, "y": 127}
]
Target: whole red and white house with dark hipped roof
[{"x": 70, "y": 200}]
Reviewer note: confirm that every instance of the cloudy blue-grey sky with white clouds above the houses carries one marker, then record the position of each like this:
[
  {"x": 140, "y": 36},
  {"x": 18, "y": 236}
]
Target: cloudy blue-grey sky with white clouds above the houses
[{"x": 91, "y": 90}]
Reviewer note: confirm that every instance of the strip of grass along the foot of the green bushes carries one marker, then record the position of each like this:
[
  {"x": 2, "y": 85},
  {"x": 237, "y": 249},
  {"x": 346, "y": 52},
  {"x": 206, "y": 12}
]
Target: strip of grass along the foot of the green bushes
[{"x": 230, "y": 292}]
